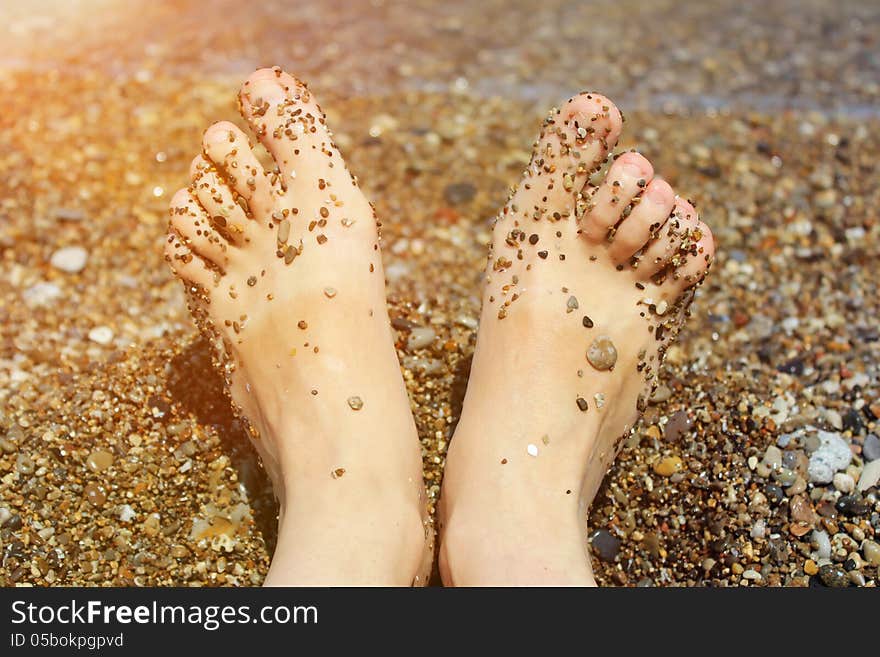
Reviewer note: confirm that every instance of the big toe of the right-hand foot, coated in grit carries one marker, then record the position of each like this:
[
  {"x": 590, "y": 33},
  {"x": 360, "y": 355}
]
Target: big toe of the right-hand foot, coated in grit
[{"x": 574, "y": 141}]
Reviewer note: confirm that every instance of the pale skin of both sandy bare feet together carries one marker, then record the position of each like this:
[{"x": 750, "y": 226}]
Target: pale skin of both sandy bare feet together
[{"x": 283, "y": 267}]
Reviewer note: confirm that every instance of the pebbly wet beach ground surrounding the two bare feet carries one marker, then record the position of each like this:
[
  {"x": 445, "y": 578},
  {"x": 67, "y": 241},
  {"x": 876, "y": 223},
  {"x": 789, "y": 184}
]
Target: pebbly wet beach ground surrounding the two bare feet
[{"x": 120, "y": 461}]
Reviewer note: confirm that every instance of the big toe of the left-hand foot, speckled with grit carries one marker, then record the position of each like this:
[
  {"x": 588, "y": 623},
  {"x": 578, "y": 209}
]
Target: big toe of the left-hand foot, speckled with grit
[{"x": 288, "y": 121}]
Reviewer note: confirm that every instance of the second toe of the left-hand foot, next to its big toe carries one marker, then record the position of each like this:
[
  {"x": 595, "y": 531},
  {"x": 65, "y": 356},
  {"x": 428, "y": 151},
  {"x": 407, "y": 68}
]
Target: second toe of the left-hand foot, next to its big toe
[{"x": 228, "y": 148}]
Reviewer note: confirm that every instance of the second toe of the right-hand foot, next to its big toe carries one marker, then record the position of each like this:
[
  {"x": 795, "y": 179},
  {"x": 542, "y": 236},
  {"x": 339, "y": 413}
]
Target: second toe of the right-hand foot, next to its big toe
[{"x": 610, "y": 201}]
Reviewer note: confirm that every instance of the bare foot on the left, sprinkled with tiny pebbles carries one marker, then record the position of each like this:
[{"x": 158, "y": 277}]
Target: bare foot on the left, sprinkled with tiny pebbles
[{"x": 285, "y": 275}]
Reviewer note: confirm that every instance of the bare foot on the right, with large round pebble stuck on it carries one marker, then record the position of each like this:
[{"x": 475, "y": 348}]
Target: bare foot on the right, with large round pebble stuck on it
[{"x": 585, "y": 288}]
